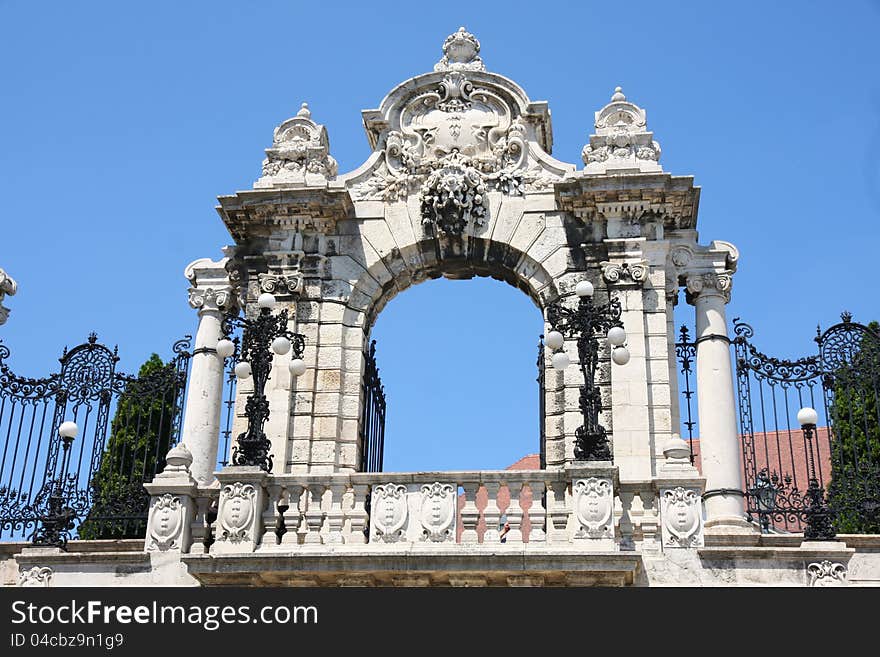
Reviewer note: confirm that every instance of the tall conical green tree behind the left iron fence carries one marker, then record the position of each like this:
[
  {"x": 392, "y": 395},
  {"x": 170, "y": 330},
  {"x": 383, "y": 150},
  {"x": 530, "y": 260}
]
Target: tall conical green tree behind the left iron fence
[{"x": 140, "y": 435}]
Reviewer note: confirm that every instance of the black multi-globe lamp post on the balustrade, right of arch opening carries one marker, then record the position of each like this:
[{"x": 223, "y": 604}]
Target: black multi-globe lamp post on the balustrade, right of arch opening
[{"x": 586, "y": 324}]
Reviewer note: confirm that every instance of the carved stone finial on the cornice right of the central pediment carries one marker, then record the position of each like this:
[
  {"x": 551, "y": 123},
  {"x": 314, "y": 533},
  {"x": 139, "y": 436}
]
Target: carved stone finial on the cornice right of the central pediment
[{"x": 622, "y": 142}]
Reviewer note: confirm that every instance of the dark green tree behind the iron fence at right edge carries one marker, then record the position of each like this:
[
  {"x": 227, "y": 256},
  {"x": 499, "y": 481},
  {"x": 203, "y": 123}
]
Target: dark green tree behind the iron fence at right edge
[{"x": 854, "y": 490}]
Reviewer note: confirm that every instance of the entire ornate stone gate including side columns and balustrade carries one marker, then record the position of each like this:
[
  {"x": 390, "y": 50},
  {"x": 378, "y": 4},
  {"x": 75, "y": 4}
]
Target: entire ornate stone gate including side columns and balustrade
[{"x": 461, "y": 183}]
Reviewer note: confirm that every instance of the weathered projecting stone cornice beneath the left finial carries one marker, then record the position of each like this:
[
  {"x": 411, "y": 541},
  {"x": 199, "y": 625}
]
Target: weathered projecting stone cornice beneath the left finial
[{"x": 259, "y": 213}]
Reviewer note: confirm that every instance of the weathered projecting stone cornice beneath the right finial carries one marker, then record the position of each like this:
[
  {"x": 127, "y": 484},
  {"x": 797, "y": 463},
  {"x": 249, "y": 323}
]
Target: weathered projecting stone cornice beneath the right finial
[{"x": 646, "y": 197}]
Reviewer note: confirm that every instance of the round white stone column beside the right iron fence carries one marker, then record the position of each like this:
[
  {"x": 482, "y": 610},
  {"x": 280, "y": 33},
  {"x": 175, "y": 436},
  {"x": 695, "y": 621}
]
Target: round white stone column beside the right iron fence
[{"x": 720, "y": 450}]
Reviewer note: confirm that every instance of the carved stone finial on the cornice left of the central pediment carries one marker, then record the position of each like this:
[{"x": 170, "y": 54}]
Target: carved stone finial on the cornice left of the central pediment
[{"x": 300, "y": 154}]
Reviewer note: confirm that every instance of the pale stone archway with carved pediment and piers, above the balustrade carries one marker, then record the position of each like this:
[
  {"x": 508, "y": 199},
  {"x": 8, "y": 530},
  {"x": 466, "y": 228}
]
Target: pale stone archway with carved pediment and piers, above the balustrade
[{"x": 461, "y": 182}]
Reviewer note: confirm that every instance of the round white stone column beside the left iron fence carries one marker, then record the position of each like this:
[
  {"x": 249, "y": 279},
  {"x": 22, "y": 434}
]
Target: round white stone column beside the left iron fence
[{"x": 211, "y": 294}]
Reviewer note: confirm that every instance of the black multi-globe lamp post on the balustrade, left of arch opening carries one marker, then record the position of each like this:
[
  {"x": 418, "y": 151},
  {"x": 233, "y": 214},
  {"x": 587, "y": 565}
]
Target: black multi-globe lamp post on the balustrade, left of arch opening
[{"x": 264, "y": 334}]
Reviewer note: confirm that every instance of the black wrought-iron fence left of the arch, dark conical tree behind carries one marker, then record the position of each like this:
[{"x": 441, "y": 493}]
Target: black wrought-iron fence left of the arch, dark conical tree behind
[{"x": 91, "y": 486}]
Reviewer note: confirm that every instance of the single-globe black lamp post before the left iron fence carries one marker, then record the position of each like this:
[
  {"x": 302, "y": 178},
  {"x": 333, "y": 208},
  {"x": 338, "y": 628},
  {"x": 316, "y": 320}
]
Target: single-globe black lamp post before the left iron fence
[{"x": 59, "y": 516}]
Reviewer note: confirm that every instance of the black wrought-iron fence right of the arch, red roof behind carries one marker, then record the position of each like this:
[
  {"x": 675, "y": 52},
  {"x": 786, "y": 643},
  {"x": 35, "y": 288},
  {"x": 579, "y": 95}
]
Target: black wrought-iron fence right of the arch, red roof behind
[{"x": 841, "y": 382}]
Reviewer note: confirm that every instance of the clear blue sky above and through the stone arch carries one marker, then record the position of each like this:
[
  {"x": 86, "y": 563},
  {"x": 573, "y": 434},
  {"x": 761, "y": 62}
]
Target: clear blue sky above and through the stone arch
[{"x": 120, "y": 123}]
